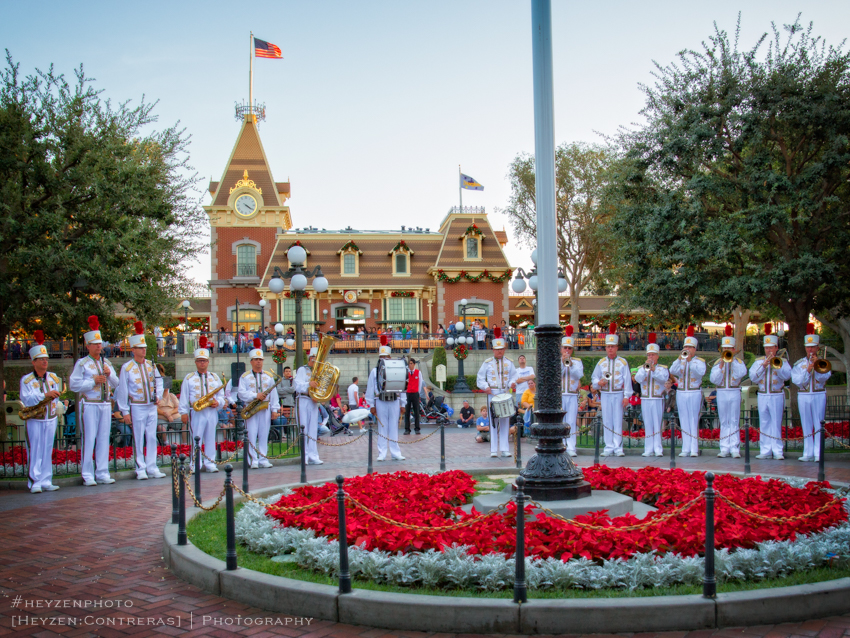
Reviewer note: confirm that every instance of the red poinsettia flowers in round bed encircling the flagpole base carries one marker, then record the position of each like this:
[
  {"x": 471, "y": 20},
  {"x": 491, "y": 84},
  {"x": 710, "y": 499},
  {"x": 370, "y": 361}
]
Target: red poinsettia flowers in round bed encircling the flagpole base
[{"x": 432, "y": 502}]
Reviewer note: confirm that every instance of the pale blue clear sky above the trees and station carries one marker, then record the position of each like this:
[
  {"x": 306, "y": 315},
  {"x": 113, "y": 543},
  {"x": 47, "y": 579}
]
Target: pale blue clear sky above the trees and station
[{"x": 376, "y": 103}]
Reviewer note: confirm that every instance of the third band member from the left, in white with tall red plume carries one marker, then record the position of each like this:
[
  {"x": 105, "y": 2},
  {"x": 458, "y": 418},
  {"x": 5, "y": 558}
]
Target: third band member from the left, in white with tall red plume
[{"x": 139, "y": 392}]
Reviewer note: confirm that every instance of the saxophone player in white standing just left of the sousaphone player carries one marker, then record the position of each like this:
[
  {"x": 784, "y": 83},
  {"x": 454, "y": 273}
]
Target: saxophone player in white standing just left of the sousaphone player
[{"x": 258, "y": 384}]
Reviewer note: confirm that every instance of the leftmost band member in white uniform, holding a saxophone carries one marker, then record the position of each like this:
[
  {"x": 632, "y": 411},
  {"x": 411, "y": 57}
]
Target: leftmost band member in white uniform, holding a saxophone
[{"x": 37, "y": 386}]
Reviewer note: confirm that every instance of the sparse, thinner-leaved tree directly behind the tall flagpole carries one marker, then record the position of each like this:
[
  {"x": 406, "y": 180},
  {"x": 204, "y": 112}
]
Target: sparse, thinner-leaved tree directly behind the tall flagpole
[{"x": 579, "y": 177}]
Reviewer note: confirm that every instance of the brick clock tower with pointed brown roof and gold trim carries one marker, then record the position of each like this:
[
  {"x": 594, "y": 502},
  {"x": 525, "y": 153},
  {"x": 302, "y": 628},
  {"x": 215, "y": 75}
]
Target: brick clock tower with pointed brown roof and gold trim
[{"x": 247, "y": 210}]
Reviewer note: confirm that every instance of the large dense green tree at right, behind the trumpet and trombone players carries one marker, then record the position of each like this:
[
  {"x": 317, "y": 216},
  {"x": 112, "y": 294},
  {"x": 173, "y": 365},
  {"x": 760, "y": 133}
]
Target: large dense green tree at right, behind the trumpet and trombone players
[{"x": 734, "y": 193}]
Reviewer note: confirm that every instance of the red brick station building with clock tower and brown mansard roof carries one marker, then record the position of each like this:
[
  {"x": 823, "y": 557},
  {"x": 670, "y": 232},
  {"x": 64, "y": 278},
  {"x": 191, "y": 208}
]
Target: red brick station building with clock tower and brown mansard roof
[{"x": 410, "y": 276}]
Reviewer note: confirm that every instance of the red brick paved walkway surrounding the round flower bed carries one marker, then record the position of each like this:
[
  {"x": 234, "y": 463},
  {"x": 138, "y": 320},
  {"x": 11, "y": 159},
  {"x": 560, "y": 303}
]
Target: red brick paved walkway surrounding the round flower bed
[{"x": 101, "y": 547}]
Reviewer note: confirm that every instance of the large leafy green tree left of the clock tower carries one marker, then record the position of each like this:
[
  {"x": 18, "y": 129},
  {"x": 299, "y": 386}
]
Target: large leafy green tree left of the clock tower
[{"x": 96, "y": 207}]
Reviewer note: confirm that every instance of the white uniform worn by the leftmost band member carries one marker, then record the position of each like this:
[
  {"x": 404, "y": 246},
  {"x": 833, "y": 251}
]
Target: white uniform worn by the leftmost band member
[{"x": 40, "y": 432}]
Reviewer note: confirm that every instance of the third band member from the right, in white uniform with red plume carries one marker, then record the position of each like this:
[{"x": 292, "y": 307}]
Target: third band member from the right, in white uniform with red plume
[{"x": 727, "y": 377}]
